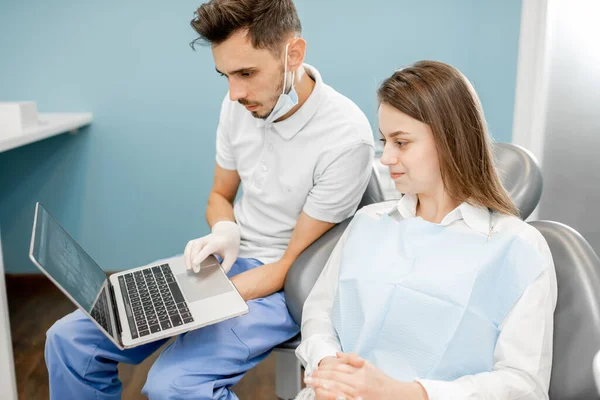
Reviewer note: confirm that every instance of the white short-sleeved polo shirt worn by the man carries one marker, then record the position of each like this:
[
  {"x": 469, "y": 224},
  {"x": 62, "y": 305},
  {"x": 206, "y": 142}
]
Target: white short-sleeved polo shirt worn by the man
[{"x": 318, "y": 161}]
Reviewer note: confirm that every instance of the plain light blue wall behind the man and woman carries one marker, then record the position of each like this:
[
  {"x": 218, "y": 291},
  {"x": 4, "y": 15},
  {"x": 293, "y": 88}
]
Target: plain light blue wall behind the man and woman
[{"x": 133, "y": 186}]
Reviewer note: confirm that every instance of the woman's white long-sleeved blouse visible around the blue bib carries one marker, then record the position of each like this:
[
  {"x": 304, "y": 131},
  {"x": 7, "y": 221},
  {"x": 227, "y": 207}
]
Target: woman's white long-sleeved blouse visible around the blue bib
[{"x": 523, "y": 353}]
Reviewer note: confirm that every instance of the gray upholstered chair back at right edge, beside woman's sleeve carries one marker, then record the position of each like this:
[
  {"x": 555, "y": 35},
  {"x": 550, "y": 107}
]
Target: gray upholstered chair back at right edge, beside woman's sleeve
[{"x": 577, "y": 315}]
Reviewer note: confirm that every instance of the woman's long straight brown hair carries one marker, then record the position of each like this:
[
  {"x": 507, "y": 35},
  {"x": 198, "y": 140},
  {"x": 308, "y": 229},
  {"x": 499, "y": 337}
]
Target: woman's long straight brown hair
[{"x": 440, "y": 96}]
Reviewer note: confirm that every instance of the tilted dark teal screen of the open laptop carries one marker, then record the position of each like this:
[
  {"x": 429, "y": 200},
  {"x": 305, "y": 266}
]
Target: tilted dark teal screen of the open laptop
[{"x": 61, "y": 257}]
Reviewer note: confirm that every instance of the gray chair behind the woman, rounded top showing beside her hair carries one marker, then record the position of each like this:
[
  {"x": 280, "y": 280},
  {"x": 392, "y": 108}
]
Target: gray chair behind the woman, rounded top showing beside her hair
[{"x": 521, "y": 177}]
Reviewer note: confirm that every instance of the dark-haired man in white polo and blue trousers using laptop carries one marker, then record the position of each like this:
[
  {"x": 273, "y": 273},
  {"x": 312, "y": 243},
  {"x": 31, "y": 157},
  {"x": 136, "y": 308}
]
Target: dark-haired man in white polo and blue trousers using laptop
[{"x": 301, "y": 152}]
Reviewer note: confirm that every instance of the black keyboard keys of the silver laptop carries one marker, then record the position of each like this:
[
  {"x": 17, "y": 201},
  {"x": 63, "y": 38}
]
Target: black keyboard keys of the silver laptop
[{"x": 153, "y": 301}]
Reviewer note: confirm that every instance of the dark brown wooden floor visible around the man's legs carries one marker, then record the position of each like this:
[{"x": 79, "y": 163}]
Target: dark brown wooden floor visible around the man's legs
[{"x": 35, "y": 303}]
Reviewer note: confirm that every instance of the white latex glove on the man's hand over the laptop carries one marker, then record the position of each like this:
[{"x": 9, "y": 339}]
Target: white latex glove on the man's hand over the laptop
[{"x": 224, "y": 241}]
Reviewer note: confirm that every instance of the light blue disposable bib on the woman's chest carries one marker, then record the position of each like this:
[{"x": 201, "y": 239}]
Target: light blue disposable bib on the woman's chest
[{"x": 422, "y": 300}]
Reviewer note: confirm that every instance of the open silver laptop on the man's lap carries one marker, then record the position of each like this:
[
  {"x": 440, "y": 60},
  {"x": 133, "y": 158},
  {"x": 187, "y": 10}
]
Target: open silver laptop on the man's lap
[{"x": 139, "y": 305}]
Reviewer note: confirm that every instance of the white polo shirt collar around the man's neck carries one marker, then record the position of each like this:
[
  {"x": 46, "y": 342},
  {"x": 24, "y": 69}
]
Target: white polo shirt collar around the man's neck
[{"x": 289, "y": 127}]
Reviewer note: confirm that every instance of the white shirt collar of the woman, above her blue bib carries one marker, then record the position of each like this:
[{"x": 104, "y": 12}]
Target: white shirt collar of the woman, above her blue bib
[{"x": 476, "y": 217}]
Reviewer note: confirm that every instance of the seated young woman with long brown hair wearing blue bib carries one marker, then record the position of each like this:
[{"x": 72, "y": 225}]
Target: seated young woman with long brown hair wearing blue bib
[{"x": 446, "y": 293}]
